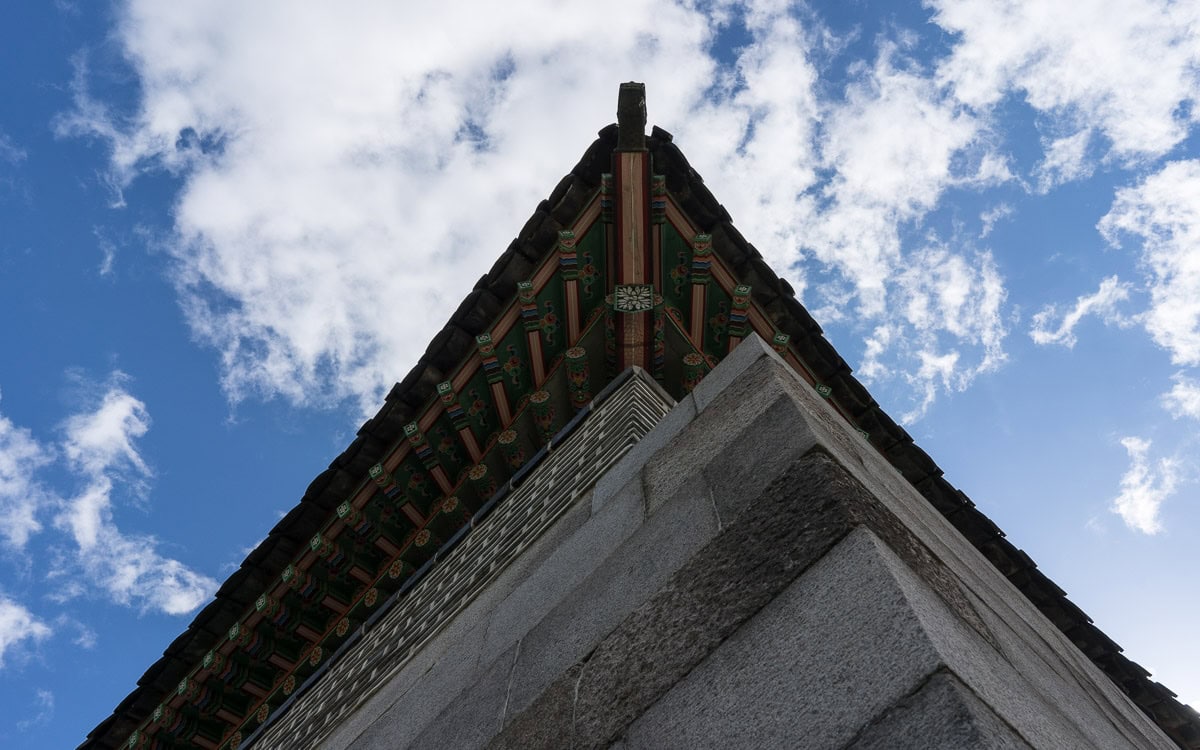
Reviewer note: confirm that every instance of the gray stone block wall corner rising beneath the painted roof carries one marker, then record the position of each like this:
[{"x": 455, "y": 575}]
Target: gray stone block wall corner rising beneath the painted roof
[{"x": 751, "y": 575}]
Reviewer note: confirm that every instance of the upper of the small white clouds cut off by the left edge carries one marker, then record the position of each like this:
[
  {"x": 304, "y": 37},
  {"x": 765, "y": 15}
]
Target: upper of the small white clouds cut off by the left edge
[{"x": 22, "y": 499}]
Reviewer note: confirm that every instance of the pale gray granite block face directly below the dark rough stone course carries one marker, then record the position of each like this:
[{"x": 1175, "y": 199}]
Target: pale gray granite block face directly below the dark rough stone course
[{"x": 833, "y": 650}]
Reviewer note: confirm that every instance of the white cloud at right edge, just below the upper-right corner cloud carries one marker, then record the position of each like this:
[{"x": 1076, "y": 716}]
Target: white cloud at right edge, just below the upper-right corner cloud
[{"x": 1163, "y": 214}]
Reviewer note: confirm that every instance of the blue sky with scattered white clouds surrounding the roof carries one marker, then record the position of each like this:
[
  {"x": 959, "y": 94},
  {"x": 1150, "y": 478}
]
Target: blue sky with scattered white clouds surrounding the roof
[{"x": 227, "y": 229}]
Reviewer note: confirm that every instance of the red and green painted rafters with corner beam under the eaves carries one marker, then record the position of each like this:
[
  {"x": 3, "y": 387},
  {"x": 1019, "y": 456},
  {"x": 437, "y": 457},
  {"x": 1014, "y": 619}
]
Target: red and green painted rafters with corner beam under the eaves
[{"x": 364, "y": 553}]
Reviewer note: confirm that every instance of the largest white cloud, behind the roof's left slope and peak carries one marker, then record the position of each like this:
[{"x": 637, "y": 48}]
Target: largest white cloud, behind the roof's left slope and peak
[{"x": 341, "y": 195}]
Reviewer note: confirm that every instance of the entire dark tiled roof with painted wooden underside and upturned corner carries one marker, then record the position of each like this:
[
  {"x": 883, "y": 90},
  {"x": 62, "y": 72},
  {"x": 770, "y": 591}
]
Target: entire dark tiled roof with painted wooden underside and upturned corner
[{"x": 629, "y": 263}]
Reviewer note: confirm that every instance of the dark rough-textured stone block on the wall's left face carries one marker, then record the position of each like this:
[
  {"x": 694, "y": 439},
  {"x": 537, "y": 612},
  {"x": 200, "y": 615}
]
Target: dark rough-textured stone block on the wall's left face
[{"x": 705, "y": 601}]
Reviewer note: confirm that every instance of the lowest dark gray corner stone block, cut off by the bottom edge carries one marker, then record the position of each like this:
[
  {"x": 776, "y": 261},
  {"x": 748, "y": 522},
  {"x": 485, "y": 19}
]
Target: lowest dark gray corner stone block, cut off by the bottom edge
[{"x": 943, "y": 715}]
